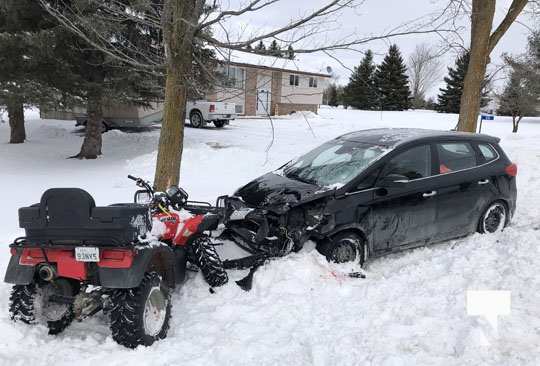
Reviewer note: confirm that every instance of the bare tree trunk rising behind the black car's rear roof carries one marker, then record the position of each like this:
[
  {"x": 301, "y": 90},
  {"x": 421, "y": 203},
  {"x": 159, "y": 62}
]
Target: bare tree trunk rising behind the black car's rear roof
[{"x": 481, "y": 23}]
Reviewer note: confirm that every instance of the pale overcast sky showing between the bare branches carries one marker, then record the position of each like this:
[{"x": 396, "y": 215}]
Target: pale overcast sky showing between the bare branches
[{"x": 370, "y": 18}]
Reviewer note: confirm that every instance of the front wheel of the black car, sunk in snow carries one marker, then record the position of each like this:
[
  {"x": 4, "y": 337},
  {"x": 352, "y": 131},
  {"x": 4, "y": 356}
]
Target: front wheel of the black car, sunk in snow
[{"x": 344, "y": 248}]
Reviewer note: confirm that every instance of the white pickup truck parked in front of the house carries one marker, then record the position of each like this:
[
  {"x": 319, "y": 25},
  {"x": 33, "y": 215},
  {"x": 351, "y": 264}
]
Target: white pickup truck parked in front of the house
[{"x": 202, "y": 112}]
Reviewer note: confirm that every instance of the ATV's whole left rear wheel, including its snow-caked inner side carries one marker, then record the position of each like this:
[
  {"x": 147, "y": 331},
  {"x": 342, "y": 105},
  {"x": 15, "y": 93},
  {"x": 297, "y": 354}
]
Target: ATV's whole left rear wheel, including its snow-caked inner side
[{"x": 31, "y": 304}]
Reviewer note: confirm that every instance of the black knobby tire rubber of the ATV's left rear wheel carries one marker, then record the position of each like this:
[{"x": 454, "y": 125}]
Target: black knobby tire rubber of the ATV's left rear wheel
[{"x": 24, "y": 307}]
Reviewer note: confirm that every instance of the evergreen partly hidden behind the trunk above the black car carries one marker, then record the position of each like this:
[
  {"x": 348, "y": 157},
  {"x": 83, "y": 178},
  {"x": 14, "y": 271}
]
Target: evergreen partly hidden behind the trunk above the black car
[{"x": 449, "y": 99}]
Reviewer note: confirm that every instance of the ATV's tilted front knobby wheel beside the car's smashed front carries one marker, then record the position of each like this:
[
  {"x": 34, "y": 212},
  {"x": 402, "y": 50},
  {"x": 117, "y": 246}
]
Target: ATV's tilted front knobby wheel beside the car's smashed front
[{"x": 204, "y": 255}]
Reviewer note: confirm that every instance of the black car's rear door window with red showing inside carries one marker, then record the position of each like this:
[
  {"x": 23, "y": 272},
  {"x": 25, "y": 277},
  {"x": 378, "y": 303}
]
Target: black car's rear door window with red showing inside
[{"x": 454, "y": 156}]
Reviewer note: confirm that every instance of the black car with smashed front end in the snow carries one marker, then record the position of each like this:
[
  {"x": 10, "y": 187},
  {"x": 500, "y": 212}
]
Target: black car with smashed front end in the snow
[{"x": 370, "y": 192}]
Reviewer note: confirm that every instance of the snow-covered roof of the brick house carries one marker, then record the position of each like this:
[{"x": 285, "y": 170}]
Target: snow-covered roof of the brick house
[{"x": 300, "y": 64}]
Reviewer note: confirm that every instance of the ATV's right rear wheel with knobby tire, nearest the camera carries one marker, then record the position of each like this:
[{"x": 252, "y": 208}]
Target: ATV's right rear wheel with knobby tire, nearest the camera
[{"x": 141, "y": 315}]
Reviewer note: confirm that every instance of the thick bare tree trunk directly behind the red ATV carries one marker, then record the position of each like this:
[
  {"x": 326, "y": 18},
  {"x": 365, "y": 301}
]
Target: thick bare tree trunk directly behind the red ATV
[{"x": 179, "y": 20}]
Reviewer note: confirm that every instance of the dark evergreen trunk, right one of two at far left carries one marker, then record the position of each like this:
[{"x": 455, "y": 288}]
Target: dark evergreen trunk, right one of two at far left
[{"x": 91, "y": 147}]
